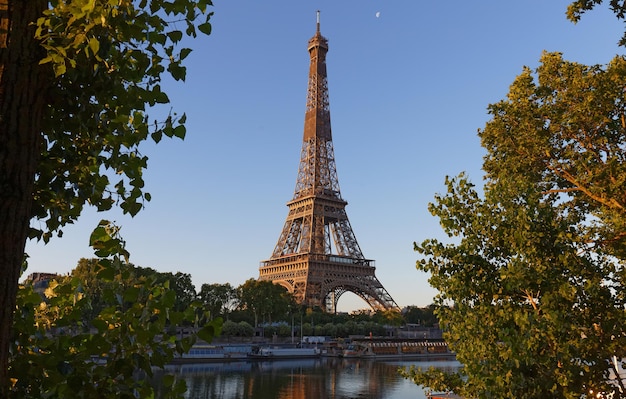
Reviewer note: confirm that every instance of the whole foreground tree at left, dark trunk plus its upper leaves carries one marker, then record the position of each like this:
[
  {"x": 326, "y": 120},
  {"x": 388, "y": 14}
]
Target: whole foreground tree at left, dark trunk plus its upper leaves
[{"x": 76, "y": 80}]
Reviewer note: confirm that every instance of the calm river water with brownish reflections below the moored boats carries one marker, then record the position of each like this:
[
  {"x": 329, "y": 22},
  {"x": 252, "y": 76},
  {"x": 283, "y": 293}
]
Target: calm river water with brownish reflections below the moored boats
[{"x": 324, "y": 378}]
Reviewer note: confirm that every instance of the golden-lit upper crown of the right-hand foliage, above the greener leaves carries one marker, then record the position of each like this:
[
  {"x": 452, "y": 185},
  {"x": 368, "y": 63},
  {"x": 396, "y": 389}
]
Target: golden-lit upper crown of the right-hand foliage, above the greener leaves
[{"x": 566, "y": 132}]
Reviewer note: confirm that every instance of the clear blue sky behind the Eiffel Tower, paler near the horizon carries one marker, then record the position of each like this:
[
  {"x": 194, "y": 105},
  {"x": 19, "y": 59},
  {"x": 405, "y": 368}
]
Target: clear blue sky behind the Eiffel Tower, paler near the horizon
[{"x": 409, "y": 84}]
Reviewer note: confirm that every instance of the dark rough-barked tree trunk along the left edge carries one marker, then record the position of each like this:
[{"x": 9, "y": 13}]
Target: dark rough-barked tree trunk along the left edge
[{"x": 22, "y": 82}]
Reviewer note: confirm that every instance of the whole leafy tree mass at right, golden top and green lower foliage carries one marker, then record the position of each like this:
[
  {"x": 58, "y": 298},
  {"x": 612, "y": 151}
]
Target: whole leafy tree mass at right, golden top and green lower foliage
[{"x": 531, "y": 294}]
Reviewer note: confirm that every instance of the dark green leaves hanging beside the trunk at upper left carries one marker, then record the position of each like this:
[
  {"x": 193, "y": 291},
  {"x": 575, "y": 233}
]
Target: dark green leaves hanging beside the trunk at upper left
[{"x": 109, "y": 59}]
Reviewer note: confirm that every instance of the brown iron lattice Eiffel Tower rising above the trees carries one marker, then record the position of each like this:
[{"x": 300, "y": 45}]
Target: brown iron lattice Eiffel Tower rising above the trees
[{"x": 317, "y": 257}]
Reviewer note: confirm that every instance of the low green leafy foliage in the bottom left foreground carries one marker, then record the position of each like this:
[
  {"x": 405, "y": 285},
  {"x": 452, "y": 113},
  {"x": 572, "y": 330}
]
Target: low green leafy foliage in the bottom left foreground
[{"x": 58, "y": 353}]
